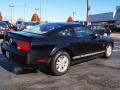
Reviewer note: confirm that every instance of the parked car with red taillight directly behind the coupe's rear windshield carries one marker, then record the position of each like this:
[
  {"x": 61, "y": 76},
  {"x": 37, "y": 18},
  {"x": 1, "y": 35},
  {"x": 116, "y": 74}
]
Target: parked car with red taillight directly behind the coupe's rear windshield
[{"x": 27, "y": 25}]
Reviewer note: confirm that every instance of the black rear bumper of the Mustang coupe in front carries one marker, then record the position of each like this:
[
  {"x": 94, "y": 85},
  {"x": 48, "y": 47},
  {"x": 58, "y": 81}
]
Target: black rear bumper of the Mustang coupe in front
[{"x": 24, "y": 59}]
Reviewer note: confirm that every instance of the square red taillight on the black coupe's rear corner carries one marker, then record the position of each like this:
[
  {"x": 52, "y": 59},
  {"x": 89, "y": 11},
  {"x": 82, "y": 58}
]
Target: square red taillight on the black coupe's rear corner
[{"x": 23, "y": 46}]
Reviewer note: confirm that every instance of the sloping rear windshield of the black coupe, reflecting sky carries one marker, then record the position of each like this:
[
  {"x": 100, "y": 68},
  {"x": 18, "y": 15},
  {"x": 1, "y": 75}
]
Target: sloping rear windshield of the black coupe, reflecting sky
[{"x": 44, "y": 28}]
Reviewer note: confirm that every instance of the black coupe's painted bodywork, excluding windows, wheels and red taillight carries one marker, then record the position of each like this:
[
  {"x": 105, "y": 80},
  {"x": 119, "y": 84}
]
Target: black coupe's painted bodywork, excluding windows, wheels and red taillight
[{"x": 46, "y": 45}]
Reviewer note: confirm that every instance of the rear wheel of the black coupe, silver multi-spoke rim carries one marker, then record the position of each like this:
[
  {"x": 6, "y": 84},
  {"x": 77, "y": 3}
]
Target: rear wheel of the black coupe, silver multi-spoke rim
[{"x": 60, "y": 63}]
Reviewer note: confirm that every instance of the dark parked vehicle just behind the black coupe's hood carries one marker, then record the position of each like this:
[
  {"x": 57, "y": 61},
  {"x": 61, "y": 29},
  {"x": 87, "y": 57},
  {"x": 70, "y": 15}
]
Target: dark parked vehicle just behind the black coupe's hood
[{"x": 101, "y": 29}]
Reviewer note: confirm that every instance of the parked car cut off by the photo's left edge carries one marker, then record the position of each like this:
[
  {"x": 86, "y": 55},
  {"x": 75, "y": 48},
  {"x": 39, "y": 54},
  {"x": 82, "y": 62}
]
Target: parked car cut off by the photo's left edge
[{"x": 3, "y": 28}]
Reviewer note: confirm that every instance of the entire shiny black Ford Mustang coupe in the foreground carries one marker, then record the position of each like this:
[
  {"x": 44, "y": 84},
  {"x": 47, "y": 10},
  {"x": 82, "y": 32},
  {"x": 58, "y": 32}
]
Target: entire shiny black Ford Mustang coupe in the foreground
[{"x": 55, "y": 45}]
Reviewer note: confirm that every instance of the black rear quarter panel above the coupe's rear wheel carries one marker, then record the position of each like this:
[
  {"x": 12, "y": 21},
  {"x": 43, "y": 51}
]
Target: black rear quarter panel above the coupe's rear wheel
[{"x": 48, "y": 46}]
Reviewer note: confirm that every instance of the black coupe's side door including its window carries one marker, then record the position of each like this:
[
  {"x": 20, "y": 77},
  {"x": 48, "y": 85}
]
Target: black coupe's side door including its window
[{"x": 90, "y": 42}]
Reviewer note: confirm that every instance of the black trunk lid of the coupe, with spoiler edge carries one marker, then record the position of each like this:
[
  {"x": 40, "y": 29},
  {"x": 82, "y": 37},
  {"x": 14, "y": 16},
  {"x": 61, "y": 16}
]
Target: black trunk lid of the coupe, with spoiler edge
[{"x": 12, "y": 38}]
